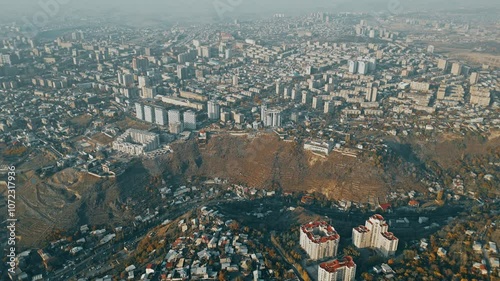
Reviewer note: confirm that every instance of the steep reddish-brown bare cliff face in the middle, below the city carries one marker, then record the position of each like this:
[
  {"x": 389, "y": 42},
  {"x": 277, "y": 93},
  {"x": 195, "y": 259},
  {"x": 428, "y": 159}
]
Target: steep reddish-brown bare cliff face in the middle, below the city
[{"x": 267, "y": 162}]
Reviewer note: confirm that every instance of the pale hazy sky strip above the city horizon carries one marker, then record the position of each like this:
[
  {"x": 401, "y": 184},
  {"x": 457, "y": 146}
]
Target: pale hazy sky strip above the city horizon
[{"x": 216, "y": 8}]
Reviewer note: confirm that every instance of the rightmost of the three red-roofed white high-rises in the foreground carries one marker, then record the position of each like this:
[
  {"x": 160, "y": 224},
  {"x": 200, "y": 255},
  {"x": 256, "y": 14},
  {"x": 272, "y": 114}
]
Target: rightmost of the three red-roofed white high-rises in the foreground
[{"x": 374, "y": 234}]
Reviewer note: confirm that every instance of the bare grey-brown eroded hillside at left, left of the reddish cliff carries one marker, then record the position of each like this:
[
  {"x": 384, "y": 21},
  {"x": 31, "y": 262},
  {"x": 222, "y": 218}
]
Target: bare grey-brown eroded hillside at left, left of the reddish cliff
[{"x": 71, "y": 198}]
